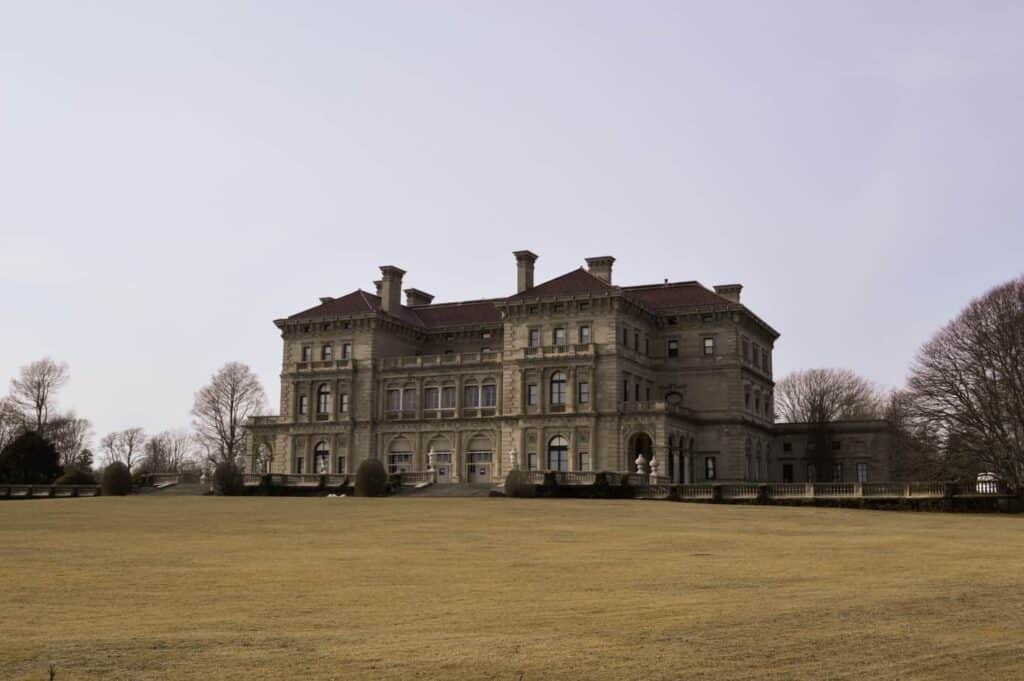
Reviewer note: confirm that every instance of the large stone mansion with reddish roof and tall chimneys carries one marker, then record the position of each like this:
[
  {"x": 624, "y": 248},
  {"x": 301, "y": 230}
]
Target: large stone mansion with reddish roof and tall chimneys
[{"x": 573, "y": 374}]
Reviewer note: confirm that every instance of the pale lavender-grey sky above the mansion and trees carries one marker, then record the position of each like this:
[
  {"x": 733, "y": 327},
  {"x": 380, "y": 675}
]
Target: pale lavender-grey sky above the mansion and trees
[{"x": 175, "y": 177}]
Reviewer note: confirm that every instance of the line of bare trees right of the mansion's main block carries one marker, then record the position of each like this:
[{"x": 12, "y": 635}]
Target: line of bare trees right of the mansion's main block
[{"x": 962, "y": 411}]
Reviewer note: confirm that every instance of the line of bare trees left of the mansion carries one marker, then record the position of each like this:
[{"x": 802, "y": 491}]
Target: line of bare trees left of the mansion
[{"x": 41, "y": 445}]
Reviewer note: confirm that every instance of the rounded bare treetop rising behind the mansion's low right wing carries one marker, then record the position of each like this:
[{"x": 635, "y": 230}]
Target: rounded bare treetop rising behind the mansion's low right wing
[{"x": 823, "y": 396}]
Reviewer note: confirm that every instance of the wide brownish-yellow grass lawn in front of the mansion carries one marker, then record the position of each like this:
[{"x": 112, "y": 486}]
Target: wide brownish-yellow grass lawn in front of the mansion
[{"x": 208, "y": 588}]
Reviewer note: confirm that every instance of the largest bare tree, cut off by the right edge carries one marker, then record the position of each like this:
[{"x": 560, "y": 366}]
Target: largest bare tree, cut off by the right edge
[{"x": 968, "y": 382}]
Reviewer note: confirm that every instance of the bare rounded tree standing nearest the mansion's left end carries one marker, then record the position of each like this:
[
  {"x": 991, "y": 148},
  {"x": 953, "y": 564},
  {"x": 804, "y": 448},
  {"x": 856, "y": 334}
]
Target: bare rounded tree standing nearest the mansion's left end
[{"x": 224, "y": 407}]
